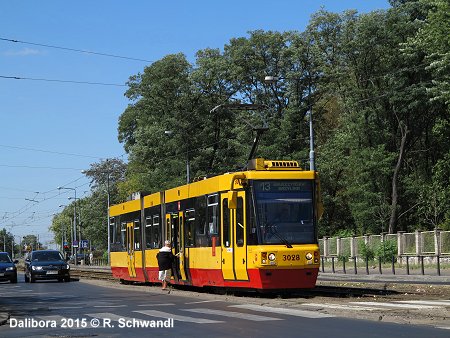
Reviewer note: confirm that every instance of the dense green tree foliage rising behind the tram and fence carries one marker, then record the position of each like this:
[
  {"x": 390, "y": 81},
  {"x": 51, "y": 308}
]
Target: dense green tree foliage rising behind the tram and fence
[{"x": 377, "y": 86}]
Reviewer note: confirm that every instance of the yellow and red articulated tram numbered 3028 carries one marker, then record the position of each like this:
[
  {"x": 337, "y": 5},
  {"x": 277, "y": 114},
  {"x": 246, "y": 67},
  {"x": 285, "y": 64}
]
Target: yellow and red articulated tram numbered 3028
[{"x": 254, "y": 229}]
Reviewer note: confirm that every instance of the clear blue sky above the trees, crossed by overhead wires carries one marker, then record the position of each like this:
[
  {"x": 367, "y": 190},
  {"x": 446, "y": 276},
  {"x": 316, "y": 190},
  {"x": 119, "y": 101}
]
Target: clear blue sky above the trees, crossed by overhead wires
[{"x": 50, "y": 131}]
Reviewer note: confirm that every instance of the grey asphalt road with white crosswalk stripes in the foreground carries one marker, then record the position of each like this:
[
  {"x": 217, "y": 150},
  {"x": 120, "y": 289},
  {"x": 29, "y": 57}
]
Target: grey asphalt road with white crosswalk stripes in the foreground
[{"x": 91, "y": 308}]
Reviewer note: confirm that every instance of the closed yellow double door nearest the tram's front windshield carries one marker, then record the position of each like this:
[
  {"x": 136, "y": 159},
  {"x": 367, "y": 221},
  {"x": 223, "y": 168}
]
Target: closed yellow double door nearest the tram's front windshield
[{"x": 234, "y": 246}]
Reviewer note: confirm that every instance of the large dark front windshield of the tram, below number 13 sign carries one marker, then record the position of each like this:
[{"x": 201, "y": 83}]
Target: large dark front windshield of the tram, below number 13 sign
[{"x": 284, "y": 211}]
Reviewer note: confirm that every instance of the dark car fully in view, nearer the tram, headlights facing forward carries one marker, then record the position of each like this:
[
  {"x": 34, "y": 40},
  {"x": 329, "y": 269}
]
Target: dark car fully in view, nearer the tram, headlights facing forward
[{"x": 45, "y": 265}]
